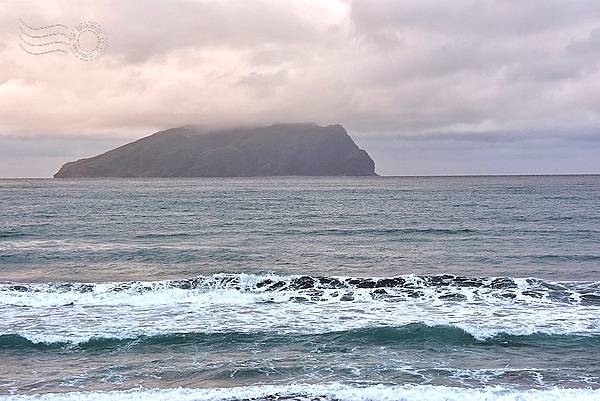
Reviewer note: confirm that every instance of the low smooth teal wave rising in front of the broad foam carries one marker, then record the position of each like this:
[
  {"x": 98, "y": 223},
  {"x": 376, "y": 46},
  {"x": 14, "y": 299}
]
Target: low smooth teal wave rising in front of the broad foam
[{"x": 413, "y": 333}]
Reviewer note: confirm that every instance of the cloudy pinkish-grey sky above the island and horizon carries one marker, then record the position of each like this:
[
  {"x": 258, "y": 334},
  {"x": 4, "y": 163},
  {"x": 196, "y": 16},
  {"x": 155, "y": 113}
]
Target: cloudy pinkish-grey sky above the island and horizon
[{"x": 427, "y": 87}]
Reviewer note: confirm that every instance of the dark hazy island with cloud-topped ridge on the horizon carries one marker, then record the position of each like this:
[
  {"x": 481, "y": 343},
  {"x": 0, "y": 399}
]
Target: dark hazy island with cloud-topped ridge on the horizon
[{"x": 276, "y": 150}]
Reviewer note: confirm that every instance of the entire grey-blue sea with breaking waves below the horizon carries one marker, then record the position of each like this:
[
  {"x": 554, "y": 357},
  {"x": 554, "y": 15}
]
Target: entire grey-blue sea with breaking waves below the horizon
[{"x": 455, "y": 288}]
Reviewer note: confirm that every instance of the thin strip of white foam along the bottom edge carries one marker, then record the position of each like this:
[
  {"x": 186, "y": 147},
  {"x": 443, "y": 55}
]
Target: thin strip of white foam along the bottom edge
[{"x": 340, "y": 392}]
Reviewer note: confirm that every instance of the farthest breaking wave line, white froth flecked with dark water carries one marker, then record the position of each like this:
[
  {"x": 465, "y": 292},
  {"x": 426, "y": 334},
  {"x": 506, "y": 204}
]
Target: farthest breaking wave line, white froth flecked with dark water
[{"x": 245, "y": 288}]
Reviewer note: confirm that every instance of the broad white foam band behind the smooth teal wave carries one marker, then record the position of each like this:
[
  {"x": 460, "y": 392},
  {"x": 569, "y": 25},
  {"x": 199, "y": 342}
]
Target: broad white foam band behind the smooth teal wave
[{"x": 242, "y": 303}]
